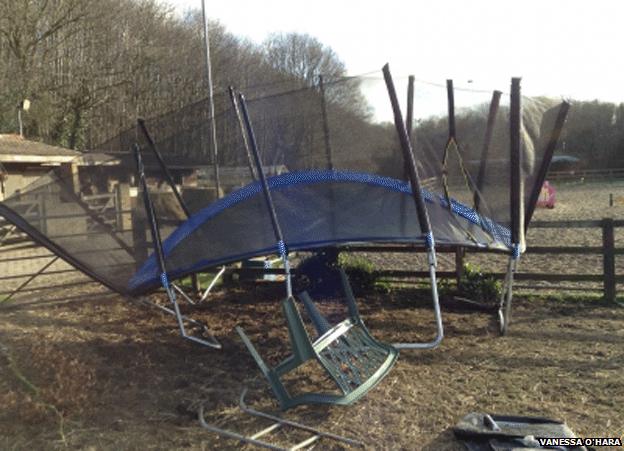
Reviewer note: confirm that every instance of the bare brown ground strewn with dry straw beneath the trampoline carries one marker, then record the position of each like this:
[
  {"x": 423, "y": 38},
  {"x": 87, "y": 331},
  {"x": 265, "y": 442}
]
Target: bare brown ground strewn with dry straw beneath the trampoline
[{"x": 109, "y": 375}]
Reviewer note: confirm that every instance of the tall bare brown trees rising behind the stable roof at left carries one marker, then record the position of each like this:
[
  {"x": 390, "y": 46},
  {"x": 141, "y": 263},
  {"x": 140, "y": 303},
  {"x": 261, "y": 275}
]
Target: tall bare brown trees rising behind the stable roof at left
[{"x": 90, "y": 67}]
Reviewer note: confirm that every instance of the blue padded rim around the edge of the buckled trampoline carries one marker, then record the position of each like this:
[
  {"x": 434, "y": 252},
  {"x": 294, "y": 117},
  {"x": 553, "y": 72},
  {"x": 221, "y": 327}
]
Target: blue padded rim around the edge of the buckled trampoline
[{"x": 148, "y": 275}]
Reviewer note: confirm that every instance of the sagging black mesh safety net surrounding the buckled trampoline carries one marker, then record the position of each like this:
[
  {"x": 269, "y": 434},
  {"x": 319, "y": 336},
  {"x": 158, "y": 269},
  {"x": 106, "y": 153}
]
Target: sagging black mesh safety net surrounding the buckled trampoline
[{"x": 334, "y": 165}]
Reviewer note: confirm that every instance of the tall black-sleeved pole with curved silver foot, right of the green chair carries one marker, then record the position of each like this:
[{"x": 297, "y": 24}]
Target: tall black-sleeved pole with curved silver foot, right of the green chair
[{"x": 421, "y": 210}]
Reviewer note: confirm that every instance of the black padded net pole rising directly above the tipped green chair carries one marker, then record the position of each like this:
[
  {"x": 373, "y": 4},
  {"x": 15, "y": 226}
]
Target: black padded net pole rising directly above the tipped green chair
[{"x": 283, "y": 251}]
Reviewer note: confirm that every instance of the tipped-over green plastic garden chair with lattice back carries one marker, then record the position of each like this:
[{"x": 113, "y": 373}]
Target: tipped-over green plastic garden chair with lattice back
[{"x": 350, "y": 356}]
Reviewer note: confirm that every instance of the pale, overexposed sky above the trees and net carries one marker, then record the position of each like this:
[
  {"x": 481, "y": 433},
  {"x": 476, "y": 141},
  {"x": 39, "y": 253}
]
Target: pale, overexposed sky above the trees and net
[{"x": 560, "y": 48}]
